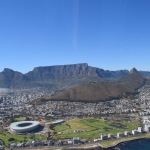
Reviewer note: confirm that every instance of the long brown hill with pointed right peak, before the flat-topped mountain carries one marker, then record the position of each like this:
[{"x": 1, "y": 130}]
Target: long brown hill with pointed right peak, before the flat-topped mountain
[{"x": 94, "y": 92}]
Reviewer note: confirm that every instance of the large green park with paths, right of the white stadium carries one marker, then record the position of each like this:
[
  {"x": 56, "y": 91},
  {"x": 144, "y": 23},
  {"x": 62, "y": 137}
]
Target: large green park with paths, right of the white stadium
[{"x": 94, "y": 127}]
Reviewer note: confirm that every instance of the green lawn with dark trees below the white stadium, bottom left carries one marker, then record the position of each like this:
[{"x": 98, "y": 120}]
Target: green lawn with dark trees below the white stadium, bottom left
[{"x": 6, "y": 136}]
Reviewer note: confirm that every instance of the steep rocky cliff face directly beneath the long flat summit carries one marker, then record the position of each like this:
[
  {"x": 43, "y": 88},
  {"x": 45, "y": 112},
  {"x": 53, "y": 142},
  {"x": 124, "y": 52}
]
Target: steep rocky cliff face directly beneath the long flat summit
[{"x": 60, "y": 72}]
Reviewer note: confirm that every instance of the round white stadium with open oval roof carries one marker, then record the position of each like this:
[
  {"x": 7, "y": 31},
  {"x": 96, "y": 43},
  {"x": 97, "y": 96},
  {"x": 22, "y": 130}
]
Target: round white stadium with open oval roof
[{"x": 24, "y": 126}]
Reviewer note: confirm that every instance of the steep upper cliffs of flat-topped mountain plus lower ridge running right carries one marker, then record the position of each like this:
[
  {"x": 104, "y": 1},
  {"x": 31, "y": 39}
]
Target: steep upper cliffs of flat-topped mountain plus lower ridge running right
[{"x": 72, "y": 71}]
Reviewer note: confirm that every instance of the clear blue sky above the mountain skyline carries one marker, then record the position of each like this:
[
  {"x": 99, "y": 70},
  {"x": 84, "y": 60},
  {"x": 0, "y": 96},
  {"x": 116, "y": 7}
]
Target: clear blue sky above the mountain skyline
[{"x": 110, "y": 34}]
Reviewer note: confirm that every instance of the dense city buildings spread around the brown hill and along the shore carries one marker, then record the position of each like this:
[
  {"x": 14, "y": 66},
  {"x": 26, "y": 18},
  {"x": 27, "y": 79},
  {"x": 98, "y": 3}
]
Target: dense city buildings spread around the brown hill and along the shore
[{"x": 15, "y": 104}]
